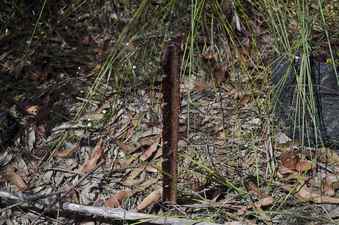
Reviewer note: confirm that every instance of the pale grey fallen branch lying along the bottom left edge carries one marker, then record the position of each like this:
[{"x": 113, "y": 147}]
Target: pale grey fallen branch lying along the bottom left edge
[{"x": 98, "y": 213}]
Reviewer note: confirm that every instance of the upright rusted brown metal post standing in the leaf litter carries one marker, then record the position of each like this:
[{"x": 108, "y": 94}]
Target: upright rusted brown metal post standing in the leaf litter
[{"x": 171, "y": 110}]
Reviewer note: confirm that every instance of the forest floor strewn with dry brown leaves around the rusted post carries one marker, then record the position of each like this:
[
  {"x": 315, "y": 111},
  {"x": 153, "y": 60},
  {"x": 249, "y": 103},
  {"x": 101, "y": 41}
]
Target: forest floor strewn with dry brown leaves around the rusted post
[{"x": 101, "y": 145}]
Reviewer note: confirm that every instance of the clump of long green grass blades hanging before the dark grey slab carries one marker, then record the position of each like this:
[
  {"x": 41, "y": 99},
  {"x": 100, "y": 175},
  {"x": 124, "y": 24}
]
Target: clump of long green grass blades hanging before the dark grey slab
[{"x": 297, "y": 40}]
